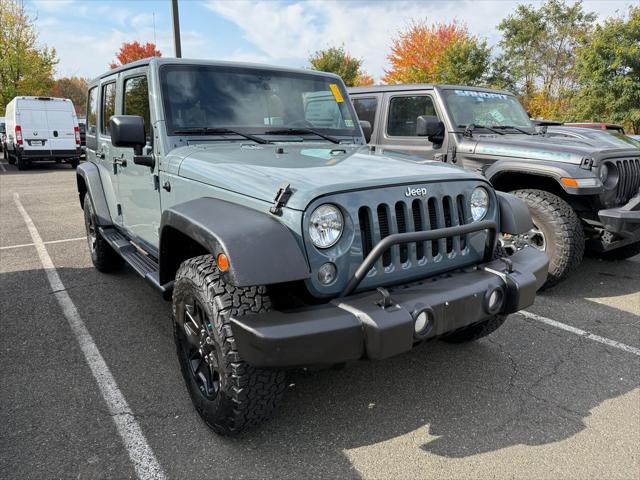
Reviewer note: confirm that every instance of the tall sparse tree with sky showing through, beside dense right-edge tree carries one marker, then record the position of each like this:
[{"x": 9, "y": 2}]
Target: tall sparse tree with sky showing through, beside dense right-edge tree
[{"x": 539, "y": 52}]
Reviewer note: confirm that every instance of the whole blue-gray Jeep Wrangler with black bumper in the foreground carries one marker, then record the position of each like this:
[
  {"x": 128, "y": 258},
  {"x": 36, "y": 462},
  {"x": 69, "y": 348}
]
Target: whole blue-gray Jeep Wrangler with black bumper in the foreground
[{"x": 241, "y": 193}]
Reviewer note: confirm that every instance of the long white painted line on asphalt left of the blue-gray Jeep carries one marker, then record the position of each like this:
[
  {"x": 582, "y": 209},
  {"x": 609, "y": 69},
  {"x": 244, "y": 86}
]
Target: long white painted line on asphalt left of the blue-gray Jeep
[{"x": 140, "y": 453}]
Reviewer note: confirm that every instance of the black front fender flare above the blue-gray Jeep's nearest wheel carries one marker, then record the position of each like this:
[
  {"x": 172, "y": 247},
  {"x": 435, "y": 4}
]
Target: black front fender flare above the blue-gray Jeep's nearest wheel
[{"x": 260, "y": 249}]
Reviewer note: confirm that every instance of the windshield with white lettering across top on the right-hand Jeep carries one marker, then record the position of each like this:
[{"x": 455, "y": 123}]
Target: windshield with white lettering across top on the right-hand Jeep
[{"x": 489, "y": 109}]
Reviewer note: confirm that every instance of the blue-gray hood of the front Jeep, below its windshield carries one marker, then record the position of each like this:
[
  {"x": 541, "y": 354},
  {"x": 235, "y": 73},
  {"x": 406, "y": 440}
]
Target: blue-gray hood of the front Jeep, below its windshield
[{"x": 312, "y": 170}]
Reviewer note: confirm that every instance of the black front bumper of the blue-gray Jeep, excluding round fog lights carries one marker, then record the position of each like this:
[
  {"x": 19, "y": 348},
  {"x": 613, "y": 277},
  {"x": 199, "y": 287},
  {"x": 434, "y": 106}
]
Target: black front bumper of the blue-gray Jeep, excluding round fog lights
[{"x": 358, "y": 326}]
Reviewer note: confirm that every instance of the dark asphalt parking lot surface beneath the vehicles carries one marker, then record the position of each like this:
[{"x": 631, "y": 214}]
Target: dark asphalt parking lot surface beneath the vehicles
[{"x": 531, "y": 401}]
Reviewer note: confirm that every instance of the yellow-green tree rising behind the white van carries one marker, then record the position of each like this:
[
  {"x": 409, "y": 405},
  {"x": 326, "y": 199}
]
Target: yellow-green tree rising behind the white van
[{"x": 25, "y": 67}]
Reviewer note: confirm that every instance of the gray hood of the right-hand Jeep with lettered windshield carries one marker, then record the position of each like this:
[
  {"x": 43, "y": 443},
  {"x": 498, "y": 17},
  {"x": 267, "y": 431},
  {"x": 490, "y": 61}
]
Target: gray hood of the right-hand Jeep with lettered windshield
[{"x": 538, "y": 147}]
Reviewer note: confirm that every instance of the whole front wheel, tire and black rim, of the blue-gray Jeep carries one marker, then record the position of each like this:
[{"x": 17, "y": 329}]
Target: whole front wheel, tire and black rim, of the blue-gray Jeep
[{"x": 230, "y": 395}]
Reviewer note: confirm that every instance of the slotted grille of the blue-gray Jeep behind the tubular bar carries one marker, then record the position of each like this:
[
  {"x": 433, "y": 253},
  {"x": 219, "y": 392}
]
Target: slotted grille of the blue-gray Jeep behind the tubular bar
[{"x": 378, "y": 222}]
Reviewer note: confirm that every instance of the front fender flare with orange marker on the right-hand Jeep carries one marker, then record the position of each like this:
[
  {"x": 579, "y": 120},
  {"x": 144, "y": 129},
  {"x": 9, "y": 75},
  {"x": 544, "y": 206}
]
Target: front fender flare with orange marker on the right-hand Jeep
[{"x": 551, "y": 170}]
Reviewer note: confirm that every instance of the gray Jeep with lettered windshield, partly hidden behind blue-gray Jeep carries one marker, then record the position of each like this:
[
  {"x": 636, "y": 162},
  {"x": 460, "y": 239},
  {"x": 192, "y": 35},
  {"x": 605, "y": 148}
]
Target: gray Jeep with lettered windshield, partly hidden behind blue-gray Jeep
[{"x": 578, "y": 190}]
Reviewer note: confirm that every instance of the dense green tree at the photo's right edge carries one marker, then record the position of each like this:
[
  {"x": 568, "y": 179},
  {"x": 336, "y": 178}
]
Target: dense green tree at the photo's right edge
[{"x": 608, "y": 72}]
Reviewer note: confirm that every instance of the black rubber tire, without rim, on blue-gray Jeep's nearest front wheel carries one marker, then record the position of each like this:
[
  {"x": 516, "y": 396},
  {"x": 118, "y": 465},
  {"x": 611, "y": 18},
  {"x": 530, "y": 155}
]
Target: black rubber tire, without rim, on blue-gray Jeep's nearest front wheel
[{"x": 247, "y": 396}]
